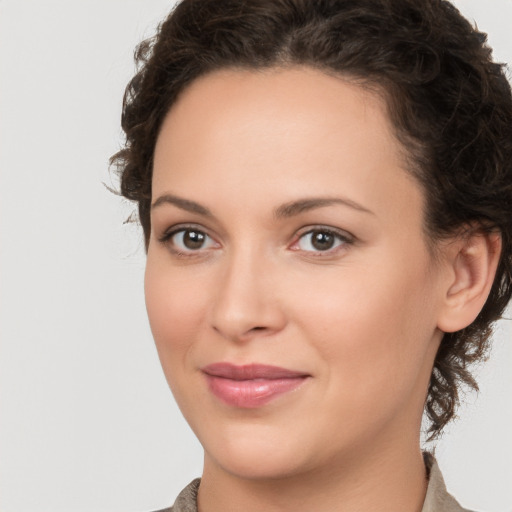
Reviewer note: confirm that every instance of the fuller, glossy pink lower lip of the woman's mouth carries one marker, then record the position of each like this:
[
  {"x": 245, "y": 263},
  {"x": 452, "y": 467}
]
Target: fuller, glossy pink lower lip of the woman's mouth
[{"x": 249, "y": 394}]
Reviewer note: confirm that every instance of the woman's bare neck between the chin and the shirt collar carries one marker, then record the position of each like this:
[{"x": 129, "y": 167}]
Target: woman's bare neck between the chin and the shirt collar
[{"x": 387, "y": 480}]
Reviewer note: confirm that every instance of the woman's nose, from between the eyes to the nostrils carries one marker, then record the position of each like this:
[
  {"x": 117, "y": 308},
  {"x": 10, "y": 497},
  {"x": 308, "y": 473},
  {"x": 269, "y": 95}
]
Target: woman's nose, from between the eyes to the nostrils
[{"x": 246, "y": 302}]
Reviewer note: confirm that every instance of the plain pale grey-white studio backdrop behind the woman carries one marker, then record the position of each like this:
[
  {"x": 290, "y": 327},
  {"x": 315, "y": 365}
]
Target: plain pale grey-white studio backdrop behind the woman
[{"x": 87, "y": 422}]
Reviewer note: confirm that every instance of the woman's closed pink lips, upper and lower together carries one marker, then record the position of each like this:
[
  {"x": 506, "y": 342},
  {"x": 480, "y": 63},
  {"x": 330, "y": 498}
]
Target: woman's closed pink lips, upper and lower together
[{"x": 250, "y": 386}]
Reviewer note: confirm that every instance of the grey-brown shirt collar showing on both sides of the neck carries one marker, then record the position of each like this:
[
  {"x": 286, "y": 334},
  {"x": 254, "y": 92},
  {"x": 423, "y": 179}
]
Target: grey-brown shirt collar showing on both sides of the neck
[{"x": 437, "y": 498}]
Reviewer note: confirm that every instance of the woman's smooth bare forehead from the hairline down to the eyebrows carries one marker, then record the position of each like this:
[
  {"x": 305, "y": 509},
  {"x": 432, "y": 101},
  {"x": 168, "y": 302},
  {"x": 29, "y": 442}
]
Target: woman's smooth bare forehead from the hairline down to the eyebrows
[{"x": 278, "y": 133}]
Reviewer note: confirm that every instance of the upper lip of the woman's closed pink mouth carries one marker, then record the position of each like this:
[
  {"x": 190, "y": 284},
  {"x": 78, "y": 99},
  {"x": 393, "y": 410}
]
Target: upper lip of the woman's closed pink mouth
[{"x": 250, "y": 371}]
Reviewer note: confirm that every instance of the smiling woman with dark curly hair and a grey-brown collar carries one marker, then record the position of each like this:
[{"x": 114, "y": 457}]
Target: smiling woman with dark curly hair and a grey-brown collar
[{"x": 325, "y": 189}]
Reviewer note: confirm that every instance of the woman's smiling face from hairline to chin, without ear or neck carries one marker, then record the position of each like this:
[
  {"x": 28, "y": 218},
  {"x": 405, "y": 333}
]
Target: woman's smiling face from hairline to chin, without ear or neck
[{"x": 289, "y": 287}]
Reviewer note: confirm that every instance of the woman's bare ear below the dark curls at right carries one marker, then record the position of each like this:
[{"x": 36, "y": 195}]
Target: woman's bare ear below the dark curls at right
[{"x": 472, "y": 260}]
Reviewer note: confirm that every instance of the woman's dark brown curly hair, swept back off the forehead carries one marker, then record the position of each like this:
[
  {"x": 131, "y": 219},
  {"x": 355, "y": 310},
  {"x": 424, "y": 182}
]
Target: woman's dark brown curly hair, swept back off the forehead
[{"x": 450, "y": 105}]
